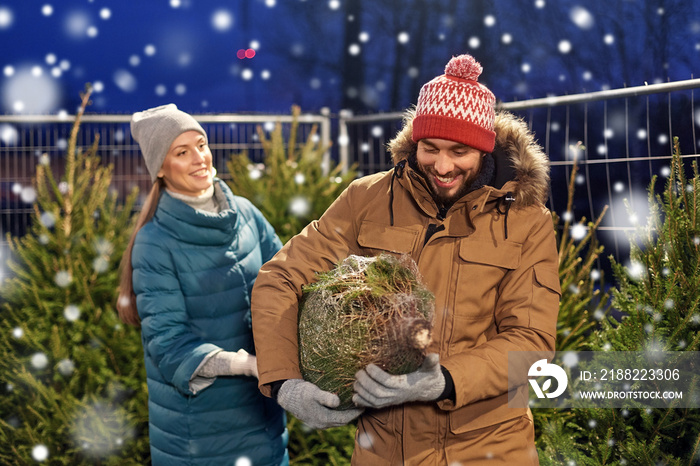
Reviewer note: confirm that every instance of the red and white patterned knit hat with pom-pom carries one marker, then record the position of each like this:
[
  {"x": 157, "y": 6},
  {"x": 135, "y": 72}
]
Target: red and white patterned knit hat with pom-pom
[{"x": 456, "y": 107}]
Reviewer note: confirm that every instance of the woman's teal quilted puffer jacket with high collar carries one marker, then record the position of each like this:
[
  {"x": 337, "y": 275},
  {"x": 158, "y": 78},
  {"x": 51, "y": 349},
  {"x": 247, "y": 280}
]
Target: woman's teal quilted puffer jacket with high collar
[{"x": 193, "y": 274}]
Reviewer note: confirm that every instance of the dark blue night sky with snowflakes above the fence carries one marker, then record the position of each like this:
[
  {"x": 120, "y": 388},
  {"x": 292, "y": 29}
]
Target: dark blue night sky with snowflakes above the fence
[{"x": 366, "y": 55}]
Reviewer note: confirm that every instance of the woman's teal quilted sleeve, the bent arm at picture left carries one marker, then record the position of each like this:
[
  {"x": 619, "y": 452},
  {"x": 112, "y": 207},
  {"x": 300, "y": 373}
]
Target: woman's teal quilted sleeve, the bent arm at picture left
[{"x": 167, "y": 338}]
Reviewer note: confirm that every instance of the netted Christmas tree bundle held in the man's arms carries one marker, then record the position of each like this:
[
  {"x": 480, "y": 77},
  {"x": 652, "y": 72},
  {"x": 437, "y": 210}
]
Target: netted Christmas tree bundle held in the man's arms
[{"x": 366, "y": 310}]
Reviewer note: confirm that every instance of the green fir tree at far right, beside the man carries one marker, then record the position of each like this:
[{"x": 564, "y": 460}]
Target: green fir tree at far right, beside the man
[{"x": 658, "y": 295}]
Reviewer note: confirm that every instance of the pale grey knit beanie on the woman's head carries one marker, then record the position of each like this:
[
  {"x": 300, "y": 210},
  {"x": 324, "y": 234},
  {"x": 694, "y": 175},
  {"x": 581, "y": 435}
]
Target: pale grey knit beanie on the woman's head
[{"x": 155, "y": 130}]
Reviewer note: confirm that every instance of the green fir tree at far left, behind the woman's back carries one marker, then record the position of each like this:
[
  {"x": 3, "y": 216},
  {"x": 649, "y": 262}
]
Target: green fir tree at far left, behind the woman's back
[{"x": 73, "y": 382}]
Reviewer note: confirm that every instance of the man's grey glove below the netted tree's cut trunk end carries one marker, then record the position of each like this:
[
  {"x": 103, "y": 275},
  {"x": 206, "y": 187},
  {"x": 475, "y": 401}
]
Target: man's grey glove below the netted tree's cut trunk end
[{"x": 375, "y": 388}]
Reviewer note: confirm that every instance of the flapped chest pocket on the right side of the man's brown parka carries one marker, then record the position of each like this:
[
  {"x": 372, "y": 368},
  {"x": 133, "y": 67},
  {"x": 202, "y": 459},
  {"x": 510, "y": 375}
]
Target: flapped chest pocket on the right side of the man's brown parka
[{"x": 480, "y": 269}]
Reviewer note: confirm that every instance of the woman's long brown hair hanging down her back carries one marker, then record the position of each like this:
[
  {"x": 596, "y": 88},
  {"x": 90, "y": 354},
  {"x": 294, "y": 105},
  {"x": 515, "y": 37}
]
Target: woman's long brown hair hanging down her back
[{"x": 126, "y": 302}]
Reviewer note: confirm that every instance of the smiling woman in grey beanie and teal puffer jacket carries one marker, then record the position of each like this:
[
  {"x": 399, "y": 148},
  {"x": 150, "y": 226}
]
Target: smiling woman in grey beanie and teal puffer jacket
[{"x": 187, "y": 275}]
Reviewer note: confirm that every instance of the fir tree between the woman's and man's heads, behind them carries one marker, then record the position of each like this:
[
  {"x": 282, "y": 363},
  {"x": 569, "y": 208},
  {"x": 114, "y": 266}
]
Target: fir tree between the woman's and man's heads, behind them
[{"x": 293, "y": 185}]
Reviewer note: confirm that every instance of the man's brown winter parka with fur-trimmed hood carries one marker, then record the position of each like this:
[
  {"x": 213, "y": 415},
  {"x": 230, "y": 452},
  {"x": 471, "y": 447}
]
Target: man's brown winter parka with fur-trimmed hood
[{"x": 491, "y": 262}]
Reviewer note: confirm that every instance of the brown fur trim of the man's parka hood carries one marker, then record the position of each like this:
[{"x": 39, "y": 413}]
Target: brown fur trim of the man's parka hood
[{"x": 517, "y": 156}]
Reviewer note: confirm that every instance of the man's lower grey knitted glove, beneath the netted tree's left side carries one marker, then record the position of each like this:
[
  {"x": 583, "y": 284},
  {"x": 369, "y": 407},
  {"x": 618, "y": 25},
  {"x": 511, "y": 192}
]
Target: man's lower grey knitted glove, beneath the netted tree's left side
[{"x": 313, "y": 406}]
